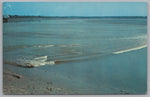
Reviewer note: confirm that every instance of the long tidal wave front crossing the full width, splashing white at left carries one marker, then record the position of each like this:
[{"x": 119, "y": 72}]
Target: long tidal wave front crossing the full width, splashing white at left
[{"x": 43, "y": 60}]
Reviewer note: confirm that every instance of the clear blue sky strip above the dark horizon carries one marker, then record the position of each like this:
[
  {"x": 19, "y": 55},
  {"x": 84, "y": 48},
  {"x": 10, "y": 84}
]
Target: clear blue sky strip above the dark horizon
[{"x": 75, "y": 8}]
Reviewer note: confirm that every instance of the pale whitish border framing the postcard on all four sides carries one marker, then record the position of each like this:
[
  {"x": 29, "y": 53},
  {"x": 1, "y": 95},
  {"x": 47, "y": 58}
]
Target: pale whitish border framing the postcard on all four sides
[{"x": 148, "y": 58}]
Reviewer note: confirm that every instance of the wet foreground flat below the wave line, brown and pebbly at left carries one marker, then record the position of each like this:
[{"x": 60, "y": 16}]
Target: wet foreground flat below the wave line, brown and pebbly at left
[{"x": 61, "y": 79}]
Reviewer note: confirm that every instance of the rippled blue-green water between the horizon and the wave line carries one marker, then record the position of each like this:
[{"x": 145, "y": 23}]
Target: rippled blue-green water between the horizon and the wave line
[{"x": 71, "y": 38}]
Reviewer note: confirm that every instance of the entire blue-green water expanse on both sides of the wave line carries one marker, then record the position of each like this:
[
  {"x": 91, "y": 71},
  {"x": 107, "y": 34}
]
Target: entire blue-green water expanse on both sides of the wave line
[{"x": 87, "y": 44}]
